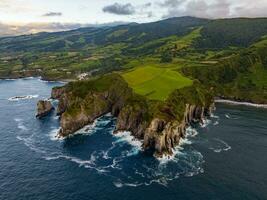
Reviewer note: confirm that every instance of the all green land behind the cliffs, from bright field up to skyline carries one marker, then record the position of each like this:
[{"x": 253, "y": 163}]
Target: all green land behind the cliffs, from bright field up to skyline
[{"x": 154, "y": 58}]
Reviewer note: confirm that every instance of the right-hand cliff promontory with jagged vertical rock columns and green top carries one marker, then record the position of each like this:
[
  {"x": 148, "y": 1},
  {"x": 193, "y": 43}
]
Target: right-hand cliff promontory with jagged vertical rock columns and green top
[{"x": 162, "y": 130}]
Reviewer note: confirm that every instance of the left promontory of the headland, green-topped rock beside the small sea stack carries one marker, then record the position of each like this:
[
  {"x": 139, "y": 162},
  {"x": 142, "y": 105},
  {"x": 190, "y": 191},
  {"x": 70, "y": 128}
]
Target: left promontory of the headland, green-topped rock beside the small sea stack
[{"x": 81, "y": 106}]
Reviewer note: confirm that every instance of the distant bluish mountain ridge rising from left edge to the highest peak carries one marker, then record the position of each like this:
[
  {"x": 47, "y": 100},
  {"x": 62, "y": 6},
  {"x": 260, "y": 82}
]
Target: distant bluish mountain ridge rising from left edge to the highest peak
[{"x": 134, "y": 34}]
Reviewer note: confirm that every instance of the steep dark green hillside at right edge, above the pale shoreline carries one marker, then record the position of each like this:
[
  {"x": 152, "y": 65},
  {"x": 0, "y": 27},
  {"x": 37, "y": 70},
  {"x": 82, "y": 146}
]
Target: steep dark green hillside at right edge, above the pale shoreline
[{"x": 239, "y": 77}]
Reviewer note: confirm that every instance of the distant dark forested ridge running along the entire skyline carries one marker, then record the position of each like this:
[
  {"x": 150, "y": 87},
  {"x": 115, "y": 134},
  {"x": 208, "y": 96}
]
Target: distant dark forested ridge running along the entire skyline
[{"x": 216, "y": 34}]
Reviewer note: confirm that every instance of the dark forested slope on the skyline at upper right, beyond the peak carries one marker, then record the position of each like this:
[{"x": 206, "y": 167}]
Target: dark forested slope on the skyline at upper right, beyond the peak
[{"x": 225, "y": 33}]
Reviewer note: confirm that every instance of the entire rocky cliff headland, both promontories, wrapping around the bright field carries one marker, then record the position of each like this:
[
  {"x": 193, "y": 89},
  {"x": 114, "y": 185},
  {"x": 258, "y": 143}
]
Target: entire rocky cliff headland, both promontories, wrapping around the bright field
[{"x": 160, "y": 125}]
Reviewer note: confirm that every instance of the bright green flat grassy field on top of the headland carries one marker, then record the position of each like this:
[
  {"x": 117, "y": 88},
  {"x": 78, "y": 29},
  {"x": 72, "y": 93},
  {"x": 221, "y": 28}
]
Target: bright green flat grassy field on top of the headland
[{"x": 155, "y": 82}]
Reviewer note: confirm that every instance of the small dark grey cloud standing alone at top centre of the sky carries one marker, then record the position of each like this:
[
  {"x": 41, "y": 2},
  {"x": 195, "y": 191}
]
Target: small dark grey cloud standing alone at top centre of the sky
[{"x": 120, "y": 9}]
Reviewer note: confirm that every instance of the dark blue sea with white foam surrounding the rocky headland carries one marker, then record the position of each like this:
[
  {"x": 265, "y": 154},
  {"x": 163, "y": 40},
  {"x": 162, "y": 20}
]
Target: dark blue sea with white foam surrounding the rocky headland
[{"x": 224, "y": 159}]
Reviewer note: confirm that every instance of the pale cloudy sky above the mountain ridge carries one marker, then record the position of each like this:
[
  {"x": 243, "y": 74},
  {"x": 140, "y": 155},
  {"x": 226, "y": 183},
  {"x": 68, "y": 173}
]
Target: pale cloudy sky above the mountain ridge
[{"x": 34, "y": 14}]
